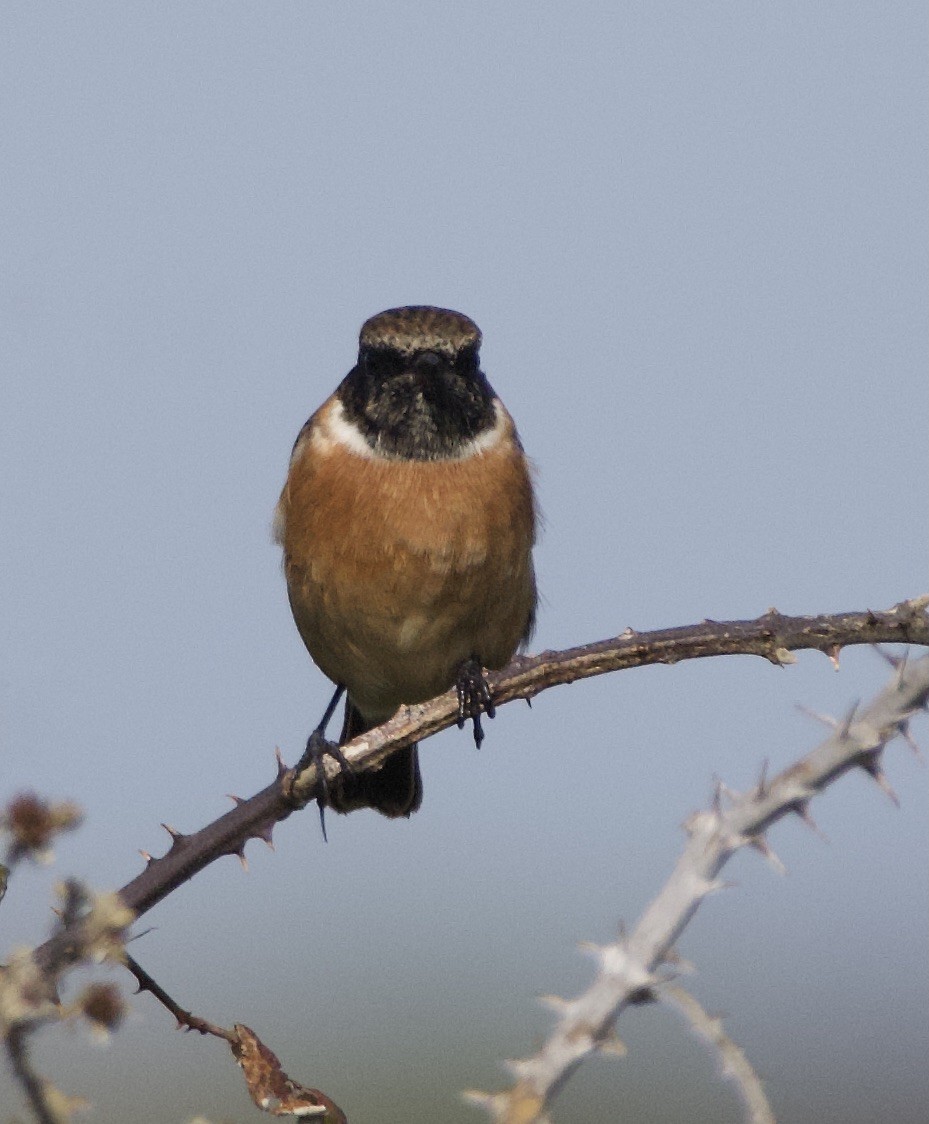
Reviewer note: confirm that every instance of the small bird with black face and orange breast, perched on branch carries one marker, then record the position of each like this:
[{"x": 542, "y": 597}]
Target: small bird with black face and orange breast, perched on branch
[{"x": 407, "y": 523}]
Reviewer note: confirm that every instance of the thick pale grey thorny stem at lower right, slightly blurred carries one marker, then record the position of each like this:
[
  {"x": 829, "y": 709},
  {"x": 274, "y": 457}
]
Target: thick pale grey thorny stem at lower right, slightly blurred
[{"x": 631, "y": 968}]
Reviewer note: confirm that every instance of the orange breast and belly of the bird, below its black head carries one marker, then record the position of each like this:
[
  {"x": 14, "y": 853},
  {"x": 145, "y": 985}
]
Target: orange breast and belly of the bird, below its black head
[{"x": 400, "y": 570}]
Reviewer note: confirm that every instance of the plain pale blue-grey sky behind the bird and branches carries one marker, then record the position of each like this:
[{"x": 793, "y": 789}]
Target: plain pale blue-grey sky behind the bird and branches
[{"x": 695, "y": 239}]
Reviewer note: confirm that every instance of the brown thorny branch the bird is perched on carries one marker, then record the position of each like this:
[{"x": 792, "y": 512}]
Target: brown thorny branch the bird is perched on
[{"x": 773, "y": 637}]
